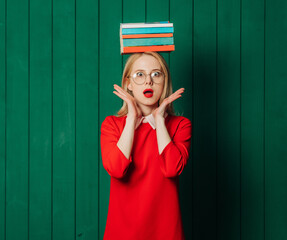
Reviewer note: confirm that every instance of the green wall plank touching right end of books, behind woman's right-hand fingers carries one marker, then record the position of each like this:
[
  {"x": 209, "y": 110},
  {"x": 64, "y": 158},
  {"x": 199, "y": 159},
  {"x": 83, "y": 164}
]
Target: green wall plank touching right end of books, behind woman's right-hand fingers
[{"x": 181, "y": 70}]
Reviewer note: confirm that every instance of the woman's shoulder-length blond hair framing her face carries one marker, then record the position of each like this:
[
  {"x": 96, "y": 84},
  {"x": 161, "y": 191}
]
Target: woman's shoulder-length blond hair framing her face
[{"x": 167, "y": 90}]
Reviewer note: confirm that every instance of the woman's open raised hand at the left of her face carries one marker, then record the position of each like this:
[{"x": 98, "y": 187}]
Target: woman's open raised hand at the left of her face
[{"x": 134, "y": 111}]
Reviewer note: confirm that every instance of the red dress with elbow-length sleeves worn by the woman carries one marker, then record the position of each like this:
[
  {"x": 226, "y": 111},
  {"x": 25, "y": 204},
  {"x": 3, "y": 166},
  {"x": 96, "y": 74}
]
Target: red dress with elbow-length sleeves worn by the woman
[{"x": 144, "y": 202}]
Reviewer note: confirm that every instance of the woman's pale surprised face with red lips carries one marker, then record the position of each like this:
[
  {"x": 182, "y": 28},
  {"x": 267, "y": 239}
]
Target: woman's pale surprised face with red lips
[{"x": 146, "y": 64}]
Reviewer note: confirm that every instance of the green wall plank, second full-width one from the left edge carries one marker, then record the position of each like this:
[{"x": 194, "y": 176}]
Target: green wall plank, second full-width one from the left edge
[{"x": 40, "y": 185}]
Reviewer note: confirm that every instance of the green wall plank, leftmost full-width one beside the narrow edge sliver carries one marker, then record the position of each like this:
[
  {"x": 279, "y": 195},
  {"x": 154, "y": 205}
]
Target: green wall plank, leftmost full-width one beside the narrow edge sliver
[{"x": 17, "y": 128}]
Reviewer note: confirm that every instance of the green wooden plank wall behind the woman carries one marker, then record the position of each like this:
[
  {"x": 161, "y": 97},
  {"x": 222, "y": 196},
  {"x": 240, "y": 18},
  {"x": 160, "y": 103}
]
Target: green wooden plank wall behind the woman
[{"x": 58, "y": 63}]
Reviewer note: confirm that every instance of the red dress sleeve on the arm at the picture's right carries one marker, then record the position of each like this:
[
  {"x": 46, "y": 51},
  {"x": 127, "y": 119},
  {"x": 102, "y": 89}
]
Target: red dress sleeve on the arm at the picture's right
[{"x": 174, "y": 156}]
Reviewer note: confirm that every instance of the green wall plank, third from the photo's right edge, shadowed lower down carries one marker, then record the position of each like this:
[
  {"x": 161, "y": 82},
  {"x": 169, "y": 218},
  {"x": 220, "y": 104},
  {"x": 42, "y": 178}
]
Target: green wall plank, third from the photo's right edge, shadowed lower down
[{"x": 228, "y": 119}]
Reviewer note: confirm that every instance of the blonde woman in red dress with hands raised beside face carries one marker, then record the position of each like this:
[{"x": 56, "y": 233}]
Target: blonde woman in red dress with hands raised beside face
[{"x": 144, "y": 150}]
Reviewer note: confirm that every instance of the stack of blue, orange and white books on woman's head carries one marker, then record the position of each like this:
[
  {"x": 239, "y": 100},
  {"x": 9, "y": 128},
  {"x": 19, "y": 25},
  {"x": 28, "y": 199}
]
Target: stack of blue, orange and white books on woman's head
[{"x": 144, "y": 37}]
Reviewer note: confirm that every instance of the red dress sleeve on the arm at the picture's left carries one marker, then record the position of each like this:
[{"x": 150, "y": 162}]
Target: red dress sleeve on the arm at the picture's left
[{"x": 114, "y": 161}]
